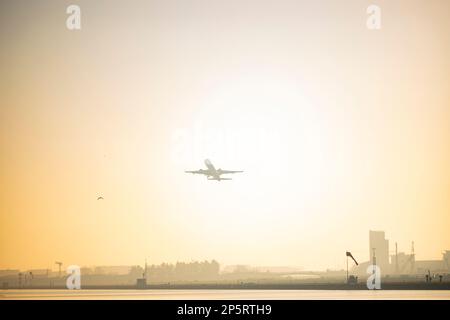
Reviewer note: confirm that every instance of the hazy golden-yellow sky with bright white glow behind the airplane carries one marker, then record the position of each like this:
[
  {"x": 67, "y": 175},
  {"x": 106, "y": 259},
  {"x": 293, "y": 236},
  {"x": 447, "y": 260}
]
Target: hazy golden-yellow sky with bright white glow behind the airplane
[{"x": 339, "y": 129}]
